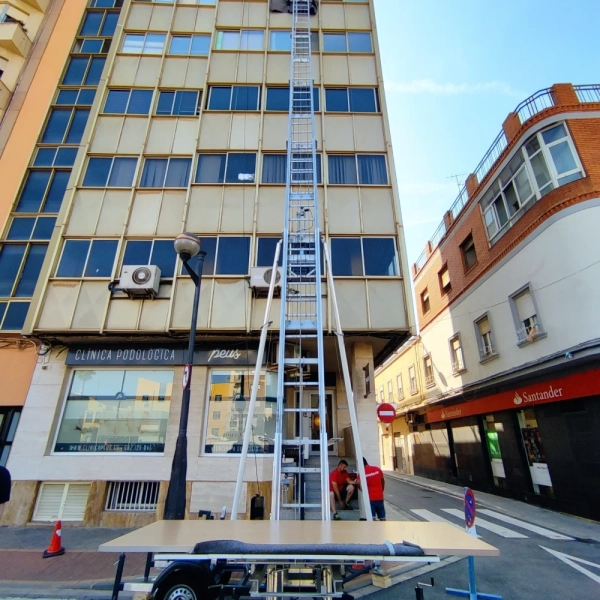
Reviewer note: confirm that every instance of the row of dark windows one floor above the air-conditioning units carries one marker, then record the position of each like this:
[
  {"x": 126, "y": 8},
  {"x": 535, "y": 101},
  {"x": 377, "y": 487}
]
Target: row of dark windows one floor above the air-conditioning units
[{"x": 231, "y": 167}]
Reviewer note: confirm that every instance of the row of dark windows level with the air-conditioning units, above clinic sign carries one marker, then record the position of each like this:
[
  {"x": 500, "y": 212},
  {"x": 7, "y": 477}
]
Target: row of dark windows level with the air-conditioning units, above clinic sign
[{"x": 230, "y": 255}]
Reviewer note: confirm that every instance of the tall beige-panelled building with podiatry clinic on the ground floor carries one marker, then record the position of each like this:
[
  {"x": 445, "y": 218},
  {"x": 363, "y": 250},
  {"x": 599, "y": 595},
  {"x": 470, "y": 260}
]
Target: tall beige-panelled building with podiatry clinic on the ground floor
[{"x": 162, "y": 117}]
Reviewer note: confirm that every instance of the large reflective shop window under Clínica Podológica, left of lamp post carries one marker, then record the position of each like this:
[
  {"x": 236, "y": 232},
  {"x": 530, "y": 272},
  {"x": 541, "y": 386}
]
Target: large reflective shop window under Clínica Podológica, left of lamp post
[{"x": 116, "y": 411}]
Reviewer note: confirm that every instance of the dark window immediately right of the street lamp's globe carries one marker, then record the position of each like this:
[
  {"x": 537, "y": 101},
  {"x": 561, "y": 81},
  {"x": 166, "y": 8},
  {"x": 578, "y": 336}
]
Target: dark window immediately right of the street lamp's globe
[{"x": 225, "y": 255}]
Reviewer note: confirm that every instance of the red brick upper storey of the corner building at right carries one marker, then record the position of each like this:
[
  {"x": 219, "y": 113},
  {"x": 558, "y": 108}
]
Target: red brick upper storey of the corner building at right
[{"x": 585, "y": 134}]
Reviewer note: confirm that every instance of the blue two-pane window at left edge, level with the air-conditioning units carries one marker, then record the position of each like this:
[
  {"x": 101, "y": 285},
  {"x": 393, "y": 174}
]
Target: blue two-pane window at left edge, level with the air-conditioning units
[{"x": 20, "y": 266}]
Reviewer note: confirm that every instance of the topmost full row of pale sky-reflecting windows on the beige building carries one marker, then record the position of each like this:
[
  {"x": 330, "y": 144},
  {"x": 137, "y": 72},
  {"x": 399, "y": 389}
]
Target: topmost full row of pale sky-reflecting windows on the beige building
[{"x": 239, "y": 39}]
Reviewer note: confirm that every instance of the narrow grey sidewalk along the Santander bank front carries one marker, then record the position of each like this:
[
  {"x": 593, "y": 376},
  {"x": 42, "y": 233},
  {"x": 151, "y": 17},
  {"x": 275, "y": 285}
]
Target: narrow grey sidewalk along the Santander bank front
[{"x": 570, "y": 525}]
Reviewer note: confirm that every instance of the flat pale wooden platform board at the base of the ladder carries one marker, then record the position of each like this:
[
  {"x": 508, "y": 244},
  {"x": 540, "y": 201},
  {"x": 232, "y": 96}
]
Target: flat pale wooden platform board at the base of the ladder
[{"x": 436, "y": 539}]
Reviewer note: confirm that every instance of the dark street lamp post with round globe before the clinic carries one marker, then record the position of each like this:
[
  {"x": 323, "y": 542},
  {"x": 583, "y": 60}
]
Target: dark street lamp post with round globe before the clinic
[{"x": 187, "y": 245}]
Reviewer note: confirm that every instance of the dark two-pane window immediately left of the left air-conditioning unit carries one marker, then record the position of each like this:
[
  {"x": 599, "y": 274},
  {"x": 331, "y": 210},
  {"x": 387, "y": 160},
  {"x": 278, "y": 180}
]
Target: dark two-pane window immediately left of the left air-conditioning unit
[{"x": 87, "y": 258}]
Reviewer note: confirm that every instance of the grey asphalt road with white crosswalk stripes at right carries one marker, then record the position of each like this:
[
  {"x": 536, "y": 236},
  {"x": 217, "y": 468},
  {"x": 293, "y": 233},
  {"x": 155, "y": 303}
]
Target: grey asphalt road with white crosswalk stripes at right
[{"x": 543, "y": 554}]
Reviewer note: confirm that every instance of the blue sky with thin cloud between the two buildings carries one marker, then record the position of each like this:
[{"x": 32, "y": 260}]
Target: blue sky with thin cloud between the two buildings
[{"x": 454, "y": 69}]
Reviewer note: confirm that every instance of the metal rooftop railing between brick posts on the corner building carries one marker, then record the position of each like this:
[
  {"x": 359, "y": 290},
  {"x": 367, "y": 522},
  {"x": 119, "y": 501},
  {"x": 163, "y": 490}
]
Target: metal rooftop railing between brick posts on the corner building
[{"x": 525, "y": 110}]
